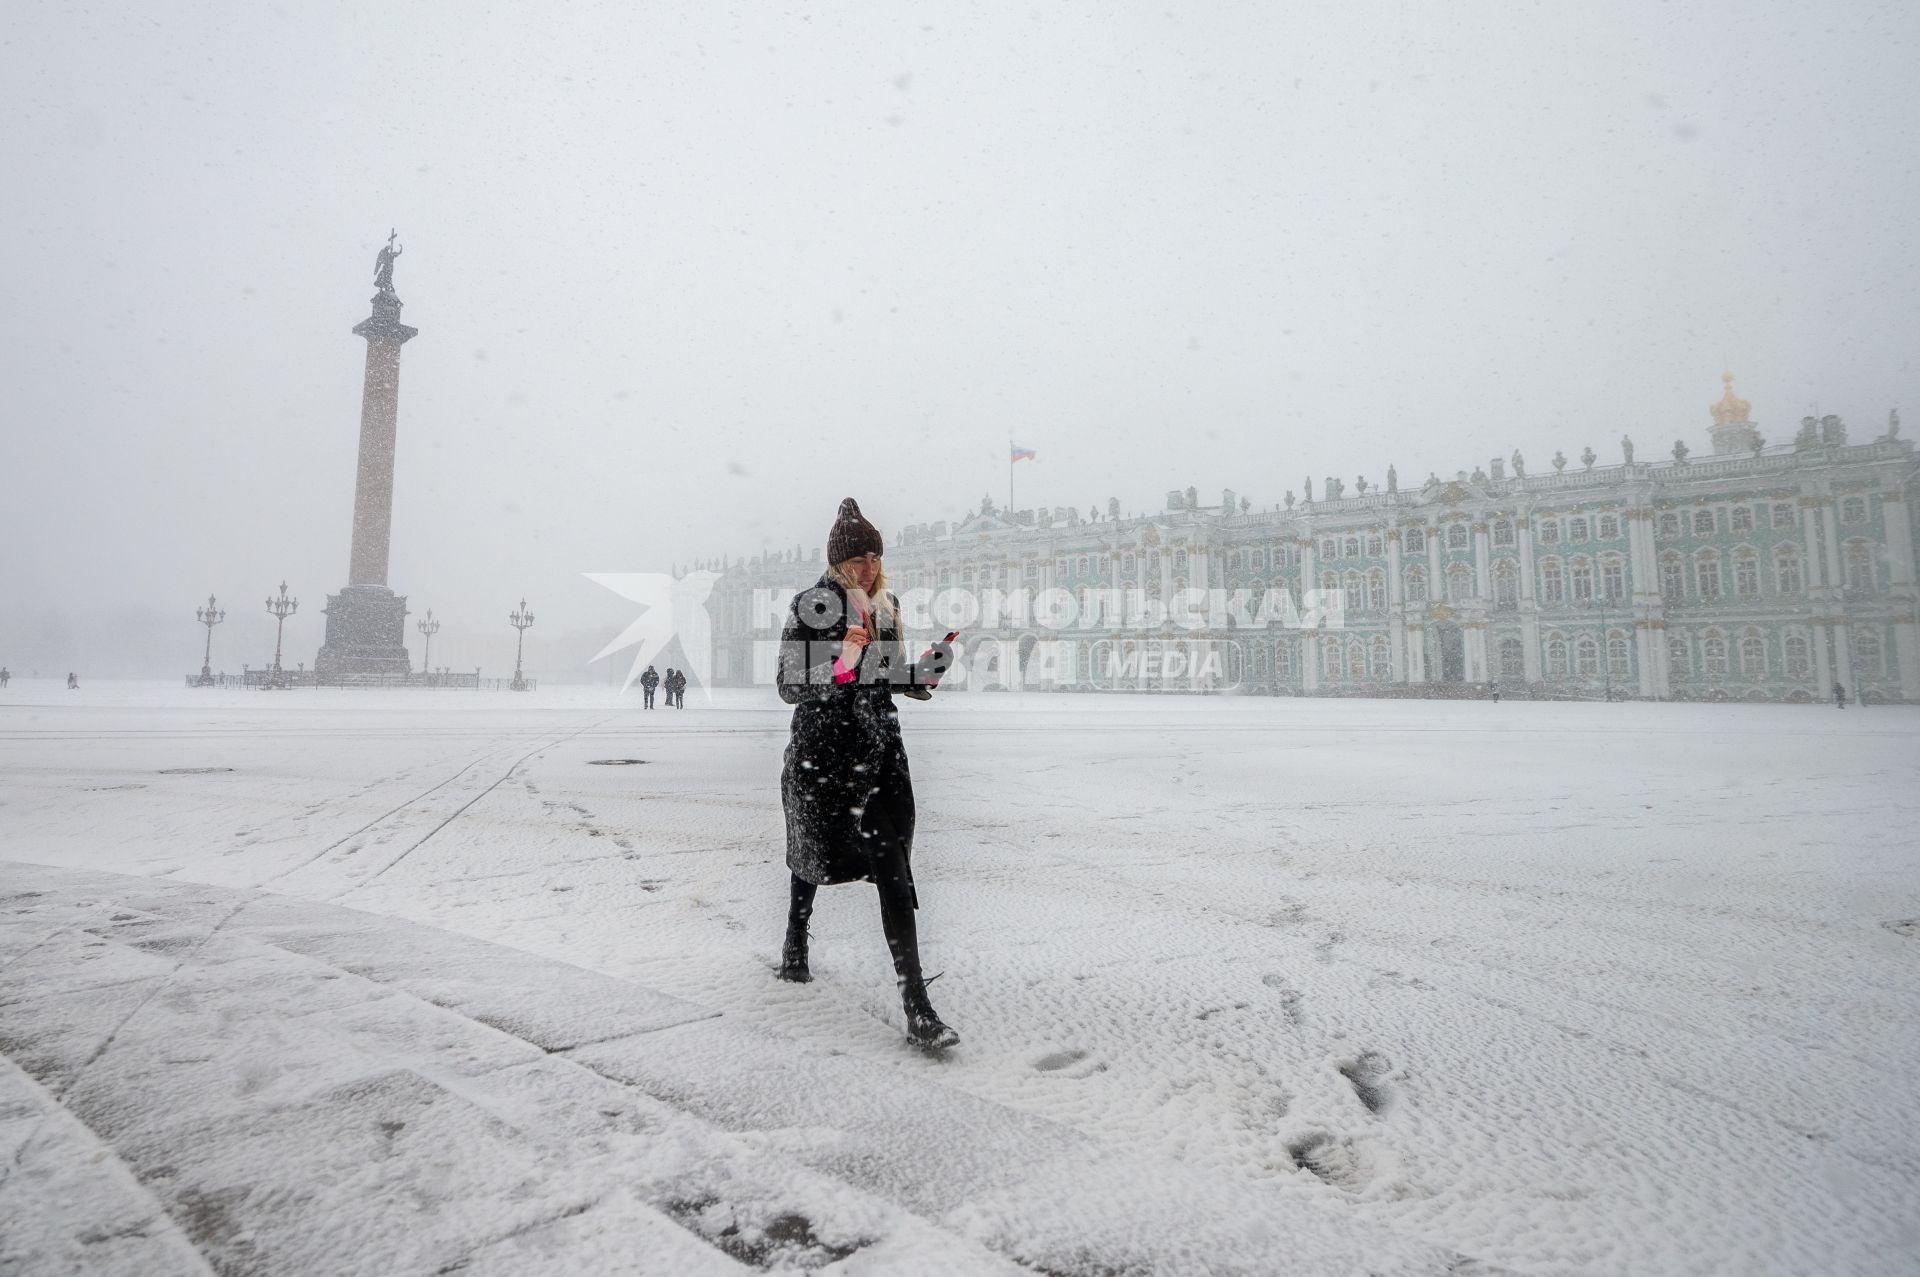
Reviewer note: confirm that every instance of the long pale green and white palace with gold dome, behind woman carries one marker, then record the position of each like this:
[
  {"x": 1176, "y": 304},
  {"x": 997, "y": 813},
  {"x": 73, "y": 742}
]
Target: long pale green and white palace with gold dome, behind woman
[{"x": 1760, "y": 573}]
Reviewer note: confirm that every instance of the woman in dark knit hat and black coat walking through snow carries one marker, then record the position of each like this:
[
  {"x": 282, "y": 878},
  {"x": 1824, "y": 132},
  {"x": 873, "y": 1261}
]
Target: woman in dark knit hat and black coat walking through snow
[{"x": 846, "y": 786}]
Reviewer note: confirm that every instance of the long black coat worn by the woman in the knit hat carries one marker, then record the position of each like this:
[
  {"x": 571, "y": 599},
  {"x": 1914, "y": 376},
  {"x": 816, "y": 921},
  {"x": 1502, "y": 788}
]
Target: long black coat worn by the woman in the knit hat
[{"x": 846, "y": 754}]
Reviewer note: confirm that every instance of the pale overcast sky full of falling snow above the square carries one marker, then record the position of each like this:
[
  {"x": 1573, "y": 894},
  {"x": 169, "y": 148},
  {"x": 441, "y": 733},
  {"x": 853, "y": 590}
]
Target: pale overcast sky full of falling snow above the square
[{"x": 688, "y": 274}]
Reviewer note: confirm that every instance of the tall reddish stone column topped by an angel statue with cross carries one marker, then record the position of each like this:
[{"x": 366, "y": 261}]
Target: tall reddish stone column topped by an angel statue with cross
[{"x": 368, "y": 623}]
